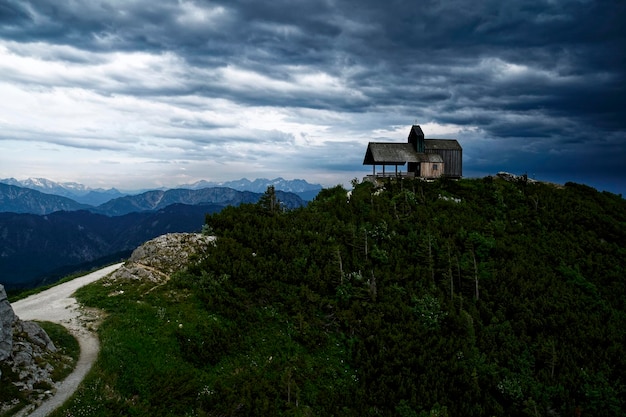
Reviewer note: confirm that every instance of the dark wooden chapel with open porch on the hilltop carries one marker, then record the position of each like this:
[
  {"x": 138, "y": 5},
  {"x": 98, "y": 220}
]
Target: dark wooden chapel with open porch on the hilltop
[{"x": 425, "y": 158}]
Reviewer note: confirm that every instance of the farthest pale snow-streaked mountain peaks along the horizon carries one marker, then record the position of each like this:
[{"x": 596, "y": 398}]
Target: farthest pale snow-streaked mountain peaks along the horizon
[{"x": 95, "y": 197}]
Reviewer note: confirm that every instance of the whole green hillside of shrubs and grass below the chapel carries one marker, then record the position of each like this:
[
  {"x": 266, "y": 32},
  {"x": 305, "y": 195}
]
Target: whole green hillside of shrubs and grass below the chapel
[{"x": 471, "y": 297}]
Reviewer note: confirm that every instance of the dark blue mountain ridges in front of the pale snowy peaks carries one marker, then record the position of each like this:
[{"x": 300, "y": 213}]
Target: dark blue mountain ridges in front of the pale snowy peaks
[{"x": 44, "y": 236}]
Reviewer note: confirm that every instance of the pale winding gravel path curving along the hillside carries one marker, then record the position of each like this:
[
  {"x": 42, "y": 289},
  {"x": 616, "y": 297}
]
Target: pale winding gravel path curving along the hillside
[{"x": 58, "y": 305}]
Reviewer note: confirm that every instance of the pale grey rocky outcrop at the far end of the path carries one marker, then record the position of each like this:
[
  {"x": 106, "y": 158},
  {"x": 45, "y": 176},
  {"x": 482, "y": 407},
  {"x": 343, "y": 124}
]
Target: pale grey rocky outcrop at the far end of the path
[{"x": 158, "y": 258}]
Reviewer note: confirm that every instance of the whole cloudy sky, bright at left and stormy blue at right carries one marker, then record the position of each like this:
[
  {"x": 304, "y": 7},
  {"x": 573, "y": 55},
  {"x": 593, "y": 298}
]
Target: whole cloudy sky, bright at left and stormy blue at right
[{"x": 144, "y": 93}]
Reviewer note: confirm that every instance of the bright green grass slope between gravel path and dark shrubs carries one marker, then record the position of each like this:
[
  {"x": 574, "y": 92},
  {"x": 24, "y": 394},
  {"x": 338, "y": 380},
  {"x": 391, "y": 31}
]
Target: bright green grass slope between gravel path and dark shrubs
[{"x": 140, "y": 370}]
